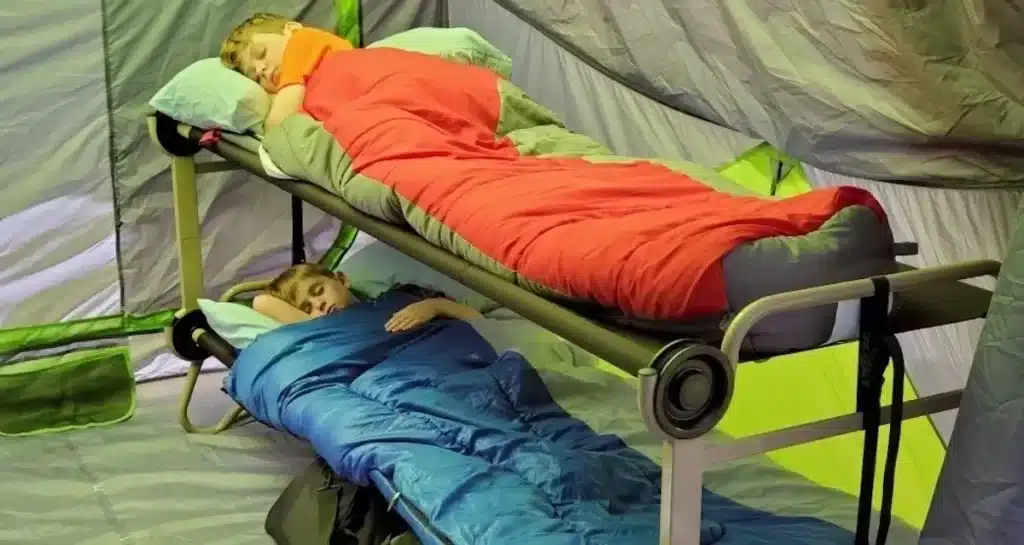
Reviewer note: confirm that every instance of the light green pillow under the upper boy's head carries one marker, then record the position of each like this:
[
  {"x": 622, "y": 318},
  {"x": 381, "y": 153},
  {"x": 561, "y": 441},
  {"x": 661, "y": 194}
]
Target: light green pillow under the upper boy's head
[{"x": 209, "y": 96}]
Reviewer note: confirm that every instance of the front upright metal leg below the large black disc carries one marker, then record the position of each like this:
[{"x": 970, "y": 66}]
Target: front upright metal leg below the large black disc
[{"x": 682, "y": 475}]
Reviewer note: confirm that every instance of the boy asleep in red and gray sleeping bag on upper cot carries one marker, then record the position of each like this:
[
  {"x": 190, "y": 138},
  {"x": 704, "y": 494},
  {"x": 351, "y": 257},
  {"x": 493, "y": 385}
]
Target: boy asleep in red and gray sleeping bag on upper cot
[{"x": 434, "y": 140}]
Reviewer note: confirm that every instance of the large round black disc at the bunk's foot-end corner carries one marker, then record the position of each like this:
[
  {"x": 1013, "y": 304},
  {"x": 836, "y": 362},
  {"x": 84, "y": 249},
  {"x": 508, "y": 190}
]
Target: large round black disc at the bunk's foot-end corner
[{"x": 695, "y": 388}]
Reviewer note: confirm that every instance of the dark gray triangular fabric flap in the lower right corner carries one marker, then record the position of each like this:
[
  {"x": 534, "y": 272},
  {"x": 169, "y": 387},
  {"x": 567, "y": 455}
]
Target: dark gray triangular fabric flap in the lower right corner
[{"x": 978, "y": 499}]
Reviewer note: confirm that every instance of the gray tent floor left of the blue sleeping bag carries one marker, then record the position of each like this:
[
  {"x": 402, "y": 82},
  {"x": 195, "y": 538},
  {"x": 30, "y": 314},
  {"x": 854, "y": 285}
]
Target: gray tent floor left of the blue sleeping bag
[{"x": 143, "y": 482}]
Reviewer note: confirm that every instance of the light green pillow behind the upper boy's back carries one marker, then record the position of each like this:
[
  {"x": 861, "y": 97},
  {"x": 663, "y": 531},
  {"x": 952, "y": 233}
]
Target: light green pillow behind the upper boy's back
[{"x": 459, "y": 45}]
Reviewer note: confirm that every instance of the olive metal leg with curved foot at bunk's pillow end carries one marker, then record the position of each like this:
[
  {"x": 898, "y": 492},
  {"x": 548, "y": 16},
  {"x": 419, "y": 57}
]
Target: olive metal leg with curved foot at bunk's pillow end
[{"x": 188, "y": 231}]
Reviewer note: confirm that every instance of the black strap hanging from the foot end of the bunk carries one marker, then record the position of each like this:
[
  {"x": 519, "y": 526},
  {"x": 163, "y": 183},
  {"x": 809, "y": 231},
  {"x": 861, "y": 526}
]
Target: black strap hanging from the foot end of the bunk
[{"x": 878, "y": 346}]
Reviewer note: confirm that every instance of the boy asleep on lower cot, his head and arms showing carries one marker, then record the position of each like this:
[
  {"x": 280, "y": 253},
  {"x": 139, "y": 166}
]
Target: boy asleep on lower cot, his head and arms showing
[{"x": 309, "y": 290}]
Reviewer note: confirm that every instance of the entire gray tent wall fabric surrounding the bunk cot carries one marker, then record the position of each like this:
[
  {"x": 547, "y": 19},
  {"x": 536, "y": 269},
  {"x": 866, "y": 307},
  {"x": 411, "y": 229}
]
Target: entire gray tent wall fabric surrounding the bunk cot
[{"x": 89, "y": 225}]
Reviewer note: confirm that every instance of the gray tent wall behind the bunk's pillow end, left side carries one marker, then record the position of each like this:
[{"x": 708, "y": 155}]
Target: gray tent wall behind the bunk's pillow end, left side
[{"x": 88, "y": 218}]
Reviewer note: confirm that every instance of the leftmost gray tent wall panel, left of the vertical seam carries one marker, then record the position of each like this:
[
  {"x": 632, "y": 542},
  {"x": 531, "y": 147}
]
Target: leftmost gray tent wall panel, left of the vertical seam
[{"x": 59, "y": 257}]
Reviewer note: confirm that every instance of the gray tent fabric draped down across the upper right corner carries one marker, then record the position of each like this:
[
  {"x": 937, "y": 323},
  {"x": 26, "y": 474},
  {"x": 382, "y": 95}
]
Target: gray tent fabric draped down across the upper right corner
[{"x": 847, "y": 87}]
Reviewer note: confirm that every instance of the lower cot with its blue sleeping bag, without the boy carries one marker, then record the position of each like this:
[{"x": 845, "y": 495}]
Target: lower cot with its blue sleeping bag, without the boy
[{"x": 601, "y": 481}]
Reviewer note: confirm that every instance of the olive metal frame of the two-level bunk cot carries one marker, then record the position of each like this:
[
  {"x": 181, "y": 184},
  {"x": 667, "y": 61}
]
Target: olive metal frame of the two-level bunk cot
[{"x": 669, "y": 370}]
